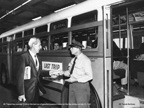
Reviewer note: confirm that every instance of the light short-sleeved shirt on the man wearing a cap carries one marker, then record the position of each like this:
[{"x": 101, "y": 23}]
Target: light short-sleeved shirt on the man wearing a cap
[{"x": 82, "y": 70}]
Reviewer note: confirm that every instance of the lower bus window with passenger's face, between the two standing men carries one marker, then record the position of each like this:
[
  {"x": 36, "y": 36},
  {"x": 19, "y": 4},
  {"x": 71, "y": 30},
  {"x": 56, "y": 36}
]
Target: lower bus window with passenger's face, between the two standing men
[{"x": 59, "y": 41}]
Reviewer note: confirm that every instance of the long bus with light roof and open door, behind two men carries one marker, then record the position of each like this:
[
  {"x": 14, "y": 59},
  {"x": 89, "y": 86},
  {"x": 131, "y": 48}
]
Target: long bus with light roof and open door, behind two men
[{"x": 97, "y": 24}]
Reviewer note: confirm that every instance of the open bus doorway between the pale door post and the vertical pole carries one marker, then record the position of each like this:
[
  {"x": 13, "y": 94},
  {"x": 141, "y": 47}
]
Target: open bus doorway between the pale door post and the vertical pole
[{"x": 121, "y": 44}]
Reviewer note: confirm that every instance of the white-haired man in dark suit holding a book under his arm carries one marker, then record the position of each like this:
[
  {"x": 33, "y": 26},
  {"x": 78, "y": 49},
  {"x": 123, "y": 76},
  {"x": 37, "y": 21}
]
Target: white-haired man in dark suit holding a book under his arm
[{"x": 29, "y": 88}]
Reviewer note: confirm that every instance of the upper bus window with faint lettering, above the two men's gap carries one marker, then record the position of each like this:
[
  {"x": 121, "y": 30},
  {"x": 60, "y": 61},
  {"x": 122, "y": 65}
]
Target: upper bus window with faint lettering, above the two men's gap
[{"x": 59, "y": 25}]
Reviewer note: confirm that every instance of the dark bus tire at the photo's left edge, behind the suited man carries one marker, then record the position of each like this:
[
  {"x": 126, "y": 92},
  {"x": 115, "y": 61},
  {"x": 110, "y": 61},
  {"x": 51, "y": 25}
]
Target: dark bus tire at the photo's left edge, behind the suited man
[{"x": 3, "y": 75}]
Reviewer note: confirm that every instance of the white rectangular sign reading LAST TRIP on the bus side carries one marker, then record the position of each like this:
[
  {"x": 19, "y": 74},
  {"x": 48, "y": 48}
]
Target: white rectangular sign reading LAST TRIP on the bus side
[{"x": 51, "y": 65}]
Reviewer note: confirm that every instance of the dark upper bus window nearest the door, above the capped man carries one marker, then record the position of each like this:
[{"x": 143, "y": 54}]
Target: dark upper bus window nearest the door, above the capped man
[{"x": 84, "y": 18}]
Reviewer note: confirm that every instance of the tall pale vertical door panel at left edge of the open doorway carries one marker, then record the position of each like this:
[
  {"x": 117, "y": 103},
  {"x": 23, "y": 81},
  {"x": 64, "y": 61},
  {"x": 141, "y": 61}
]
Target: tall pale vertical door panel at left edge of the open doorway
[{"x": 107, "y": 58}]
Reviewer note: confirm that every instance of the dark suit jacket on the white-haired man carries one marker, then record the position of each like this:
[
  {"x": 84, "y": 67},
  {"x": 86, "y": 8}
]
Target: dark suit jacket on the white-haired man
[{"x": 29, "y": 87}]
